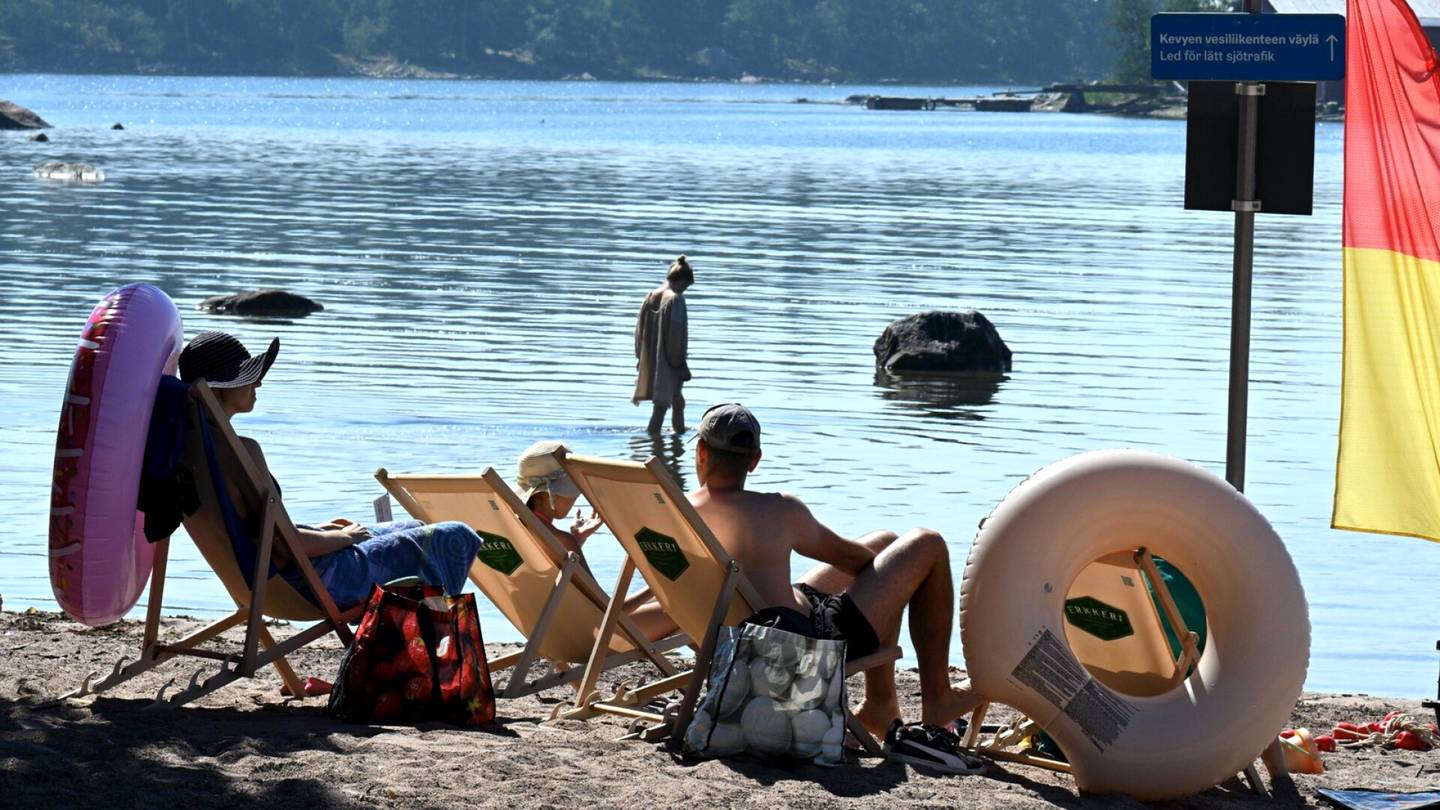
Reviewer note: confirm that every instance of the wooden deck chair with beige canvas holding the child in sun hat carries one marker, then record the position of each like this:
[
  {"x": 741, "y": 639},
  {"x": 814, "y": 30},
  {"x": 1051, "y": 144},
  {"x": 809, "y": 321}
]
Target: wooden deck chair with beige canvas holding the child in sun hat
[{"x": 544, "y": 590}]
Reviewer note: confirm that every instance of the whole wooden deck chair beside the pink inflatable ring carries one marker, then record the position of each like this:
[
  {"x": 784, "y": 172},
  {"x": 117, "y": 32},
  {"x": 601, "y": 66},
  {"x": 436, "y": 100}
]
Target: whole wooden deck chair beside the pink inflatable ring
[{"x": 238, "y": 561}]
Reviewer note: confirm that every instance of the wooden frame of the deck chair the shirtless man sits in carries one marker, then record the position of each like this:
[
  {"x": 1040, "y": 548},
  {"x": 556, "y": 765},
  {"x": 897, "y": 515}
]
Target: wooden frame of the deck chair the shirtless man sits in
[{"x": 735, "y": 600}]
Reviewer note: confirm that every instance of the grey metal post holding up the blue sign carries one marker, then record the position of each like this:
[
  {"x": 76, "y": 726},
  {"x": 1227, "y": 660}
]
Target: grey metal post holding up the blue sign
[{"x": 1246, "y": 205}]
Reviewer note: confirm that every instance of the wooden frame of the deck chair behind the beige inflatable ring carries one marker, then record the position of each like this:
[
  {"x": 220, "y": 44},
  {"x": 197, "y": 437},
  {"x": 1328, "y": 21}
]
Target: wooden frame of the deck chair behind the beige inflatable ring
[{"x": 999, "y": 746}]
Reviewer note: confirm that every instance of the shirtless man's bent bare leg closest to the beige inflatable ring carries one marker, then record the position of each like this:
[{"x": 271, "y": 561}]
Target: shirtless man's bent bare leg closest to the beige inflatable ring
[{"x": 915, "y": 573}]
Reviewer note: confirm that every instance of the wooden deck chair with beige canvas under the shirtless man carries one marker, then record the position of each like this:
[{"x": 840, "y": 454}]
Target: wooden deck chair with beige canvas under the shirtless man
[{"x": 696, "y": 582}]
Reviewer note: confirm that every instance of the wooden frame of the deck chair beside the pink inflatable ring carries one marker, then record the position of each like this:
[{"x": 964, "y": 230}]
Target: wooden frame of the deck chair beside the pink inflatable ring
[{"x": 260, "y": 648}]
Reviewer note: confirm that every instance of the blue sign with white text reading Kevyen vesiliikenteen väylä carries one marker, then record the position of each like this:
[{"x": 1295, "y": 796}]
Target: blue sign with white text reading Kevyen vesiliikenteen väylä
[{"x": 1248, "y": 48}]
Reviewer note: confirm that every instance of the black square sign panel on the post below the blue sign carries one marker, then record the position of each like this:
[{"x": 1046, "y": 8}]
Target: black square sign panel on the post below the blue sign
[{"x": 1285, "y": 151}]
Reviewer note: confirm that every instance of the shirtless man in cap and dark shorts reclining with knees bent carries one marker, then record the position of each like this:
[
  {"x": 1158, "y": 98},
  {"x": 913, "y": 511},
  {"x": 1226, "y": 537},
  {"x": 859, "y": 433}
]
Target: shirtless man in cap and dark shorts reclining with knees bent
[{"x": 858, "y": 593}]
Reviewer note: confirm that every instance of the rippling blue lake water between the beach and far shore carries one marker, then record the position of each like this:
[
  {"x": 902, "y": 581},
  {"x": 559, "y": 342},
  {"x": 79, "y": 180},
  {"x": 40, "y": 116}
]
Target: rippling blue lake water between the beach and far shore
[{"x": 482, "y": 249}]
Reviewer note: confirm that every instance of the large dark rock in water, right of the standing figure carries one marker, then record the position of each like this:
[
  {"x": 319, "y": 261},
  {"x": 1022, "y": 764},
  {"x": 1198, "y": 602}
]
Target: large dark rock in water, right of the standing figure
[{"x": 942, "y": 342}]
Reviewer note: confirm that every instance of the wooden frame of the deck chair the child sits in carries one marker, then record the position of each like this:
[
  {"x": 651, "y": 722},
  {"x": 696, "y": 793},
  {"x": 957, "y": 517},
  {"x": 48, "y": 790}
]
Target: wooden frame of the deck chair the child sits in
[{"x": 571, "y": 573}]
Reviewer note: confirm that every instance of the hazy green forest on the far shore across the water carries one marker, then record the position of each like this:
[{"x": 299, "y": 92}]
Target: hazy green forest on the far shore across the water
[{"x": 858, "y": 41}]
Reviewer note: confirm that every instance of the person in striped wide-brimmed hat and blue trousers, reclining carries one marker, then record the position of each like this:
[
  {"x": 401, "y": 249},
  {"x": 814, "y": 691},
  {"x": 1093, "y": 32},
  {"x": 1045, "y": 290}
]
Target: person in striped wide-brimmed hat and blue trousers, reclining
[{"x": 351, "y": 558}]
